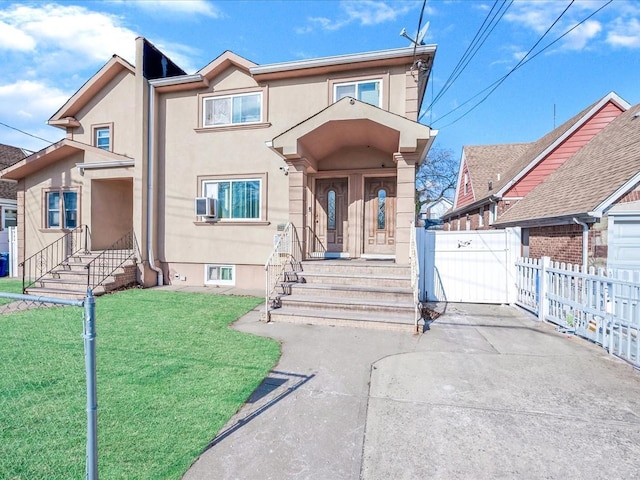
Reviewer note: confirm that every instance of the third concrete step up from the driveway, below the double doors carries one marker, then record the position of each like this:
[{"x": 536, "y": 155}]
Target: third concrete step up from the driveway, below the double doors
[{"x": 359, "y": 292}]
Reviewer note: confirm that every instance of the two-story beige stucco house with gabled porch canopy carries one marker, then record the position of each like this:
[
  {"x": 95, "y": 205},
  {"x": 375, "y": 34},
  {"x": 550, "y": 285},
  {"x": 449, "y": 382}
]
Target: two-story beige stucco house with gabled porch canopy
[{"x": 329, "y": 144}]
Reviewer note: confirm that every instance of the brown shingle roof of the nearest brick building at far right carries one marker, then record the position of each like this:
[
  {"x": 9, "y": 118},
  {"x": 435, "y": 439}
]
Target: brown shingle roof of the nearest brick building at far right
[{"x": 591, "y": 180}]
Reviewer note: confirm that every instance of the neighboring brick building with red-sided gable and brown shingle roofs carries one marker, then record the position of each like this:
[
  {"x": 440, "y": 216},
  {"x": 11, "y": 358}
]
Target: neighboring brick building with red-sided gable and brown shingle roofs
[{"x": 574, "y": 192}]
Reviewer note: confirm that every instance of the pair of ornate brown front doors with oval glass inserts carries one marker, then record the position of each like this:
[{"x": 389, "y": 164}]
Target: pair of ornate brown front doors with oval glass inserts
[{"x": 332, "y": 215}]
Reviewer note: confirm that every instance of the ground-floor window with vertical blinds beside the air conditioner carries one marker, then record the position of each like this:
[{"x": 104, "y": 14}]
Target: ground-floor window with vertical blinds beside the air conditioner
[{"x": 236, "y": 199}]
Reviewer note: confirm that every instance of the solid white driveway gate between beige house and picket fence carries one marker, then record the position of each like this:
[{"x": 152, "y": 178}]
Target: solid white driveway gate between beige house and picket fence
[{"x": 469, "y": 266}]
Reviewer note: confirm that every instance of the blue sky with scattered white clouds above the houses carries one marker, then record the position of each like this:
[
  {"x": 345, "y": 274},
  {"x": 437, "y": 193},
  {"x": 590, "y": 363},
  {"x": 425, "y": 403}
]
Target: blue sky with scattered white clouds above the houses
[{"x": 504, "y": 72}]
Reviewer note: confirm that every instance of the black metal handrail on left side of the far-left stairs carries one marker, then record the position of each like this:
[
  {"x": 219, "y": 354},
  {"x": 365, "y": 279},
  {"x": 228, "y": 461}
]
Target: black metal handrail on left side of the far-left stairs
[{"x": 53, "y": 255}]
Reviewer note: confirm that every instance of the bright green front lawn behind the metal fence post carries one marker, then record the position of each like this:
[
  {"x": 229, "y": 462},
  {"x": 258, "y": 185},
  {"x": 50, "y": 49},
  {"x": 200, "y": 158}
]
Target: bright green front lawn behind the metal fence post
[{"x": 170, "y": 374}]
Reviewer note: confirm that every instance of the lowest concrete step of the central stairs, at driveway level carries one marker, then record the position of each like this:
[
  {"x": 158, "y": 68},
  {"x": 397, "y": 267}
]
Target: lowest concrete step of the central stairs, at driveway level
[{"x": 398, "y": 322}]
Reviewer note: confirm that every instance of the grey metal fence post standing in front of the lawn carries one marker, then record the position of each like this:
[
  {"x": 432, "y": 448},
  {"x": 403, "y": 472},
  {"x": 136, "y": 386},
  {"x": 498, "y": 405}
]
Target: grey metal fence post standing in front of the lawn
[{"x": 89, "y": 336}]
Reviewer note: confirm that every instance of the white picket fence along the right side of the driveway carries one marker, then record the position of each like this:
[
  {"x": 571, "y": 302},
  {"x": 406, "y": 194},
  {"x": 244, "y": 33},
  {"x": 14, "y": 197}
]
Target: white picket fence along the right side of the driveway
[{"x": 602, "y": 306}]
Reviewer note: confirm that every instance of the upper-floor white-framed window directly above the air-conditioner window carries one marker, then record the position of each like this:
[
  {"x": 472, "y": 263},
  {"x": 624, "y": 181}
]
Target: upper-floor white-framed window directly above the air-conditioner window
[{"x": 232, "y": 109}]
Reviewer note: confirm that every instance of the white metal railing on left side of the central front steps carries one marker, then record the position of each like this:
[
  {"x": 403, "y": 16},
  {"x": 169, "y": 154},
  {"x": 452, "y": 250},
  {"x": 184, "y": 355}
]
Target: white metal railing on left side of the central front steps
[{"x": 286, "y": 254}]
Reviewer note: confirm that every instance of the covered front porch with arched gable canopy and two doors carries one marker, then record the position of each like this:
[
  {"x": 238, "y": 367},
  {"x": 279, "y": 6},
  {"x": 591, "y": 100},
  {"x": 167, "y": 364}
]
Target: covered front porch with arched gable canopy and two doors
[{"x": 351, "y": 171}]
